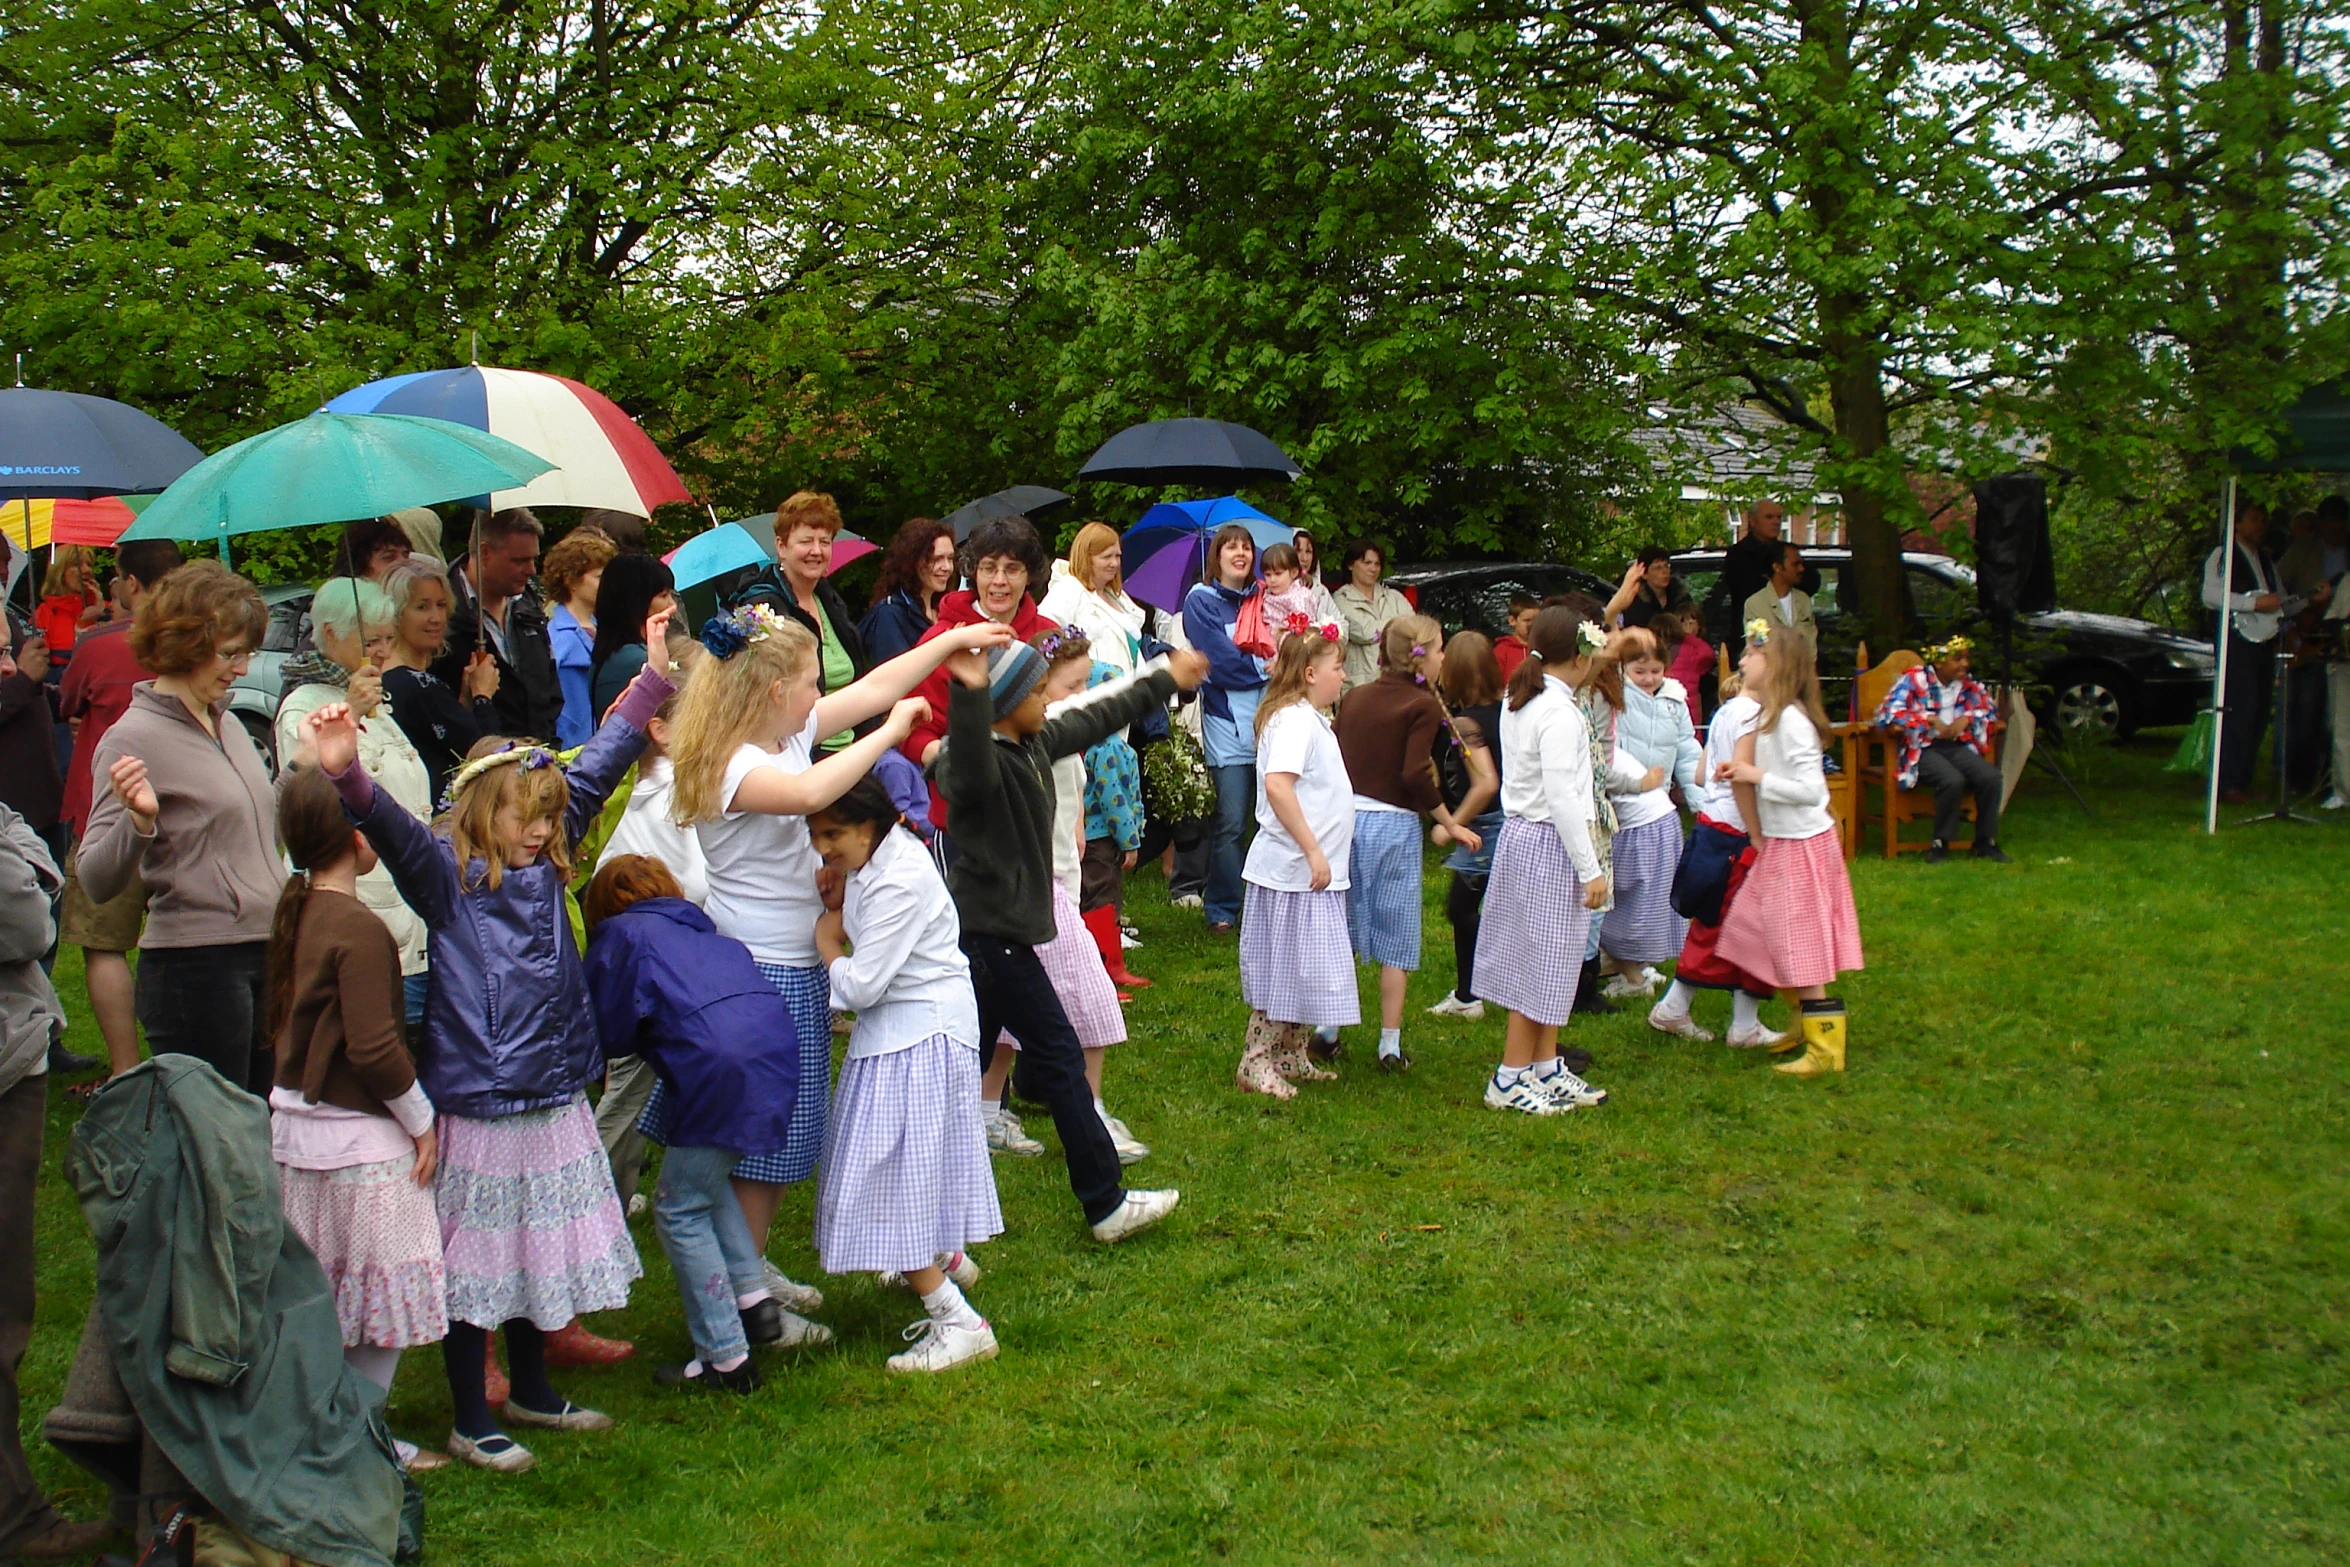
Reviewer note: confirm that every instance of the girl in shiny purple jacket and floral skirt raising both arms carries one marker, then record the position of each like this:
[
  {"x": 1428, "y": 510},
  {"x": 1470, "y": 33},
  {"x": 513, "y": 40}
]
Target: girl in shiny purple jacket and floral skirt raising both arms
[{"x": 511, "y": 1049}]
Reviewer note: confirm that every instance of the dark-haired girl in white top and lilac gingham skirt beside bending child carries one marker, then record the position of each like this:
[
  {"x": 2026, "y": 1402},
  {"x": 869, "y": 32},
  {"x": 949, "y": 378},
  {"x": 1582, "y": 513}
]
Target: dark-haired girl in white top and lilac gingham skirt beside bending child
[{"x": 906, "y": 1181}]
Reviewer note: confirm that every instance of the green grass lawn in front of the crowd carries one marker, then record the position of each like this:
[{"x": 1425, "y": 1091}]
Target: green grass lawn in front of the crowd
[{"x": 2055, "y": 1275}]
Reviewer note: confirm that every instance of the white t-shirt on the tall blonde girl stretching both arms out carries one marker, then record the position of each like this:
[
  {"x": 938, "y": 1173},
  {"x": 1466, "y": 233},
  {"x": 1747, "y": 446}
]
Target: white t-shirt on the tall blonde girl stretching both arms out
[{"x": 763, "y": 868}]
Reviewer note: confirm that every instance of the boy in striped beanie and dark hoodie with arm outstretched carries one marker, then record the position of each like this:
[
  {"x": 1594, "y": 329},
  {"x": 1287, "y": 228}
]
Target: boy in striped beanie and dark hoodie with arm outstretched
[{"x": 995, "y": 774}]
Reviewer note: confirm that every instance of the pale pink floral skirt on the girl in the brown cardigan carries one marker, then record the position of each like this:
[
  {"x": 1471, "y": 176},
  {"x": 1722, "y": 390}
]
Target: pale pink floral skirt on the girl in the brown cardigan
[{"x": 377, "y": 1235}]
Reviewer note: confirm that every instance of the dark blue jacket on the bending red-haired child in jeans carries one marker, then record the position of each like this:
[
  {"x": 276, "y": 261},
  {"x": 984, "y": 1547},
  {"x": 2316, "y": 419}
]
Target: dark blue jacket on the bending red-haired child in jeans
[{"x": 669, "y": 988}]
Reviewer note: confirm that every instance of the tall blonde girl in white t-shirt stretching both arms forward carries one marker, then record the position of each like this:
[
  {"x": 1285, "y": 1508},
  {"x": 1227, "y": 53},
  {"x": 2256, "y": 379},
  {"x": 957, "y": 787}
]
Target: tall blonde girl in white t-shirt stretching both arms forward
[{"x": 746, "y": 776}]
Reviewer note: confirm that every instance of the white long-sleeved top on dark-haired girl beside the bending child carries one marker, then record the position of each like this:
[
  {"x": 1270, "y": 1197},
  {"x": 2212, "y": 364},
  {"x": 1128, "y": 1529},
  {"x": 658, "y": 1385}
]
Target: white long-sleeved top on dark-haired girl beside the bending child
[{"x": 908, "y": 976}]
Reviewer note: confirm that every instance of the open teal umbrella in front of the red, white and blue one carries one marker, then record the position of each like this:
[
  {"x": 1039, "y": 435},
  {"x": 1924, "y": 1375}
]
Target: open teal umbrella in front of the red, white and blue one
[{"x": 335, "y": 469}]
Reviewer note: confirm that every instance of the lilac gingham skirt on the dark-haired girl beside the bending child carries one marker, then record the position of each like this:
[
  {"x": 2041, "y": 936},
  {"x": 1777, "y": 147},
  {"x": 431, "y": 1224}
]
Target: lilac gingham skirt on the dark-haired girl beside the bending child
[{"x": 906, "y": 1166}]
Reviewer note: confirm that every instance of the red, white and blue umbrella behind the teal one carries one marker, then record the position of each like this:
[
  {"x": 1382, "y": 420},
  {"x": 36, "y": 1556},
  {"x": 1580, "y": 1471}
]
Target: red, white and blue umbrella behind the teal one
[{"x": 600, "y": 457}]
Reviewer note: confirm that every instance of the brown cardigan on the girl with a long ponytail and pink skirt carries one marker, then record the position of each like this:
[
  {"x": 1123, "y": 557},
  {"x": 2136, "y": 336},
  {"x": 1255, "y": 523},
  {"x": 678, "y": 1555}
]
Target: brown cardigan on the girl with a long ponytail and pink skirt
[{"x": 342, "y": 1042}]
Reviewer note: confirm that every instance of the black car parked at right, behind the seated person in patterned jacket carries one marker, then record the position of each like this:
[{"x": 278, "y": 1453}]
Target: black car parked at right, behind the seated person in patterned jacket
[{"x": 2102, "y": 673}]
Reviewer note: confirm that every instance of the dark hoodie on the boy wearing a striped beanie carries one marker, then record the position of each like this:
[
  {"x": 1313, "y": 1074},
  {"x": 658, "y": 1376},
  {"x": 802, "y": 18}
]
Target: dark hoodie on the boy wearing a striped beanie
[{"x": 1000, "y": 798}]
